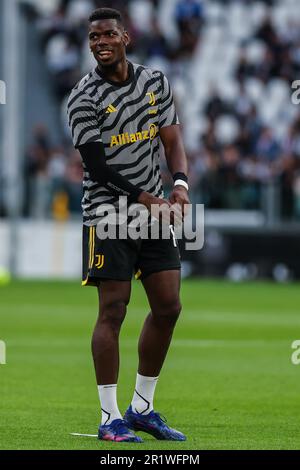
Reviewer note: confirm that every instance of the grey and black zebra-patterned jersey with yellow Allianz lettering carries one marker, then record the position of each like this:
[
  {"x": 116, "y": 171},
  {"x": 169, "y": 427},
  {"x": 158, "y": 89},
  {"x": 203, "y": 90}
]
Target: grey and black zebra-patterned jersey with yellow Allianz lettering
[{"x": 126, "y": 117}]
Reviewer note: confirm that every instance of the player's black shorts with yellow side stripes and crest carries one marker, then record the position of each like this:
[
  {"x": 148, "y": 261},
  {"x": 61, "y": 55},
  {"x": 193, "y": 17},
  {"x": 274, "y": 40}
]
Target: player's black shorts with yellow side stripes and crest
[{"x": 120, "y": 259}]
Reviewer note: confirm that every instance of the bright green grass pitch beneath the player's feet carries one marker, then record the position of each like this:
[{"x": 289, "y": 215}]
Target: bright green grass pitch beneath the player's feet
[{"x": 228, "y": 381}]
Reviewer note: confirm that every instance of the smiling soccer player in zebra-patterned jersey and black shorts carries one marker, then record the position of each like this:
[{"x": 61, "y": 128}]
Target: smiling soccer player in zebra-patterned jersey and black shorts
[{"x": 118, "y": 114}]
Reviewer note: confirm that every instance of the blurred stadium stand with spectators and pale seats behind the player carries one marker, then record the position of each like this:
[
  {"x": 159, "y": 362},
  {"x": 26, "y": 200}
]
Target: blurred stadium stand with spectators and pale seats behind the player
[{"x": 231, "y": 64}]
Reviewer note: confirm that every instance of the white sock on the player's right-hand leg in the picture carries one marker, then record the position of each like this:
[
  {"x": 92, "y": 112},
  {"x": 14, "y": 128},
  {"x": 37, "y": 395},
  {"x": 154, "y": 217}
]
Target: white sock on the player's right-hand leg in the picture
[{"x": 142, "y": 401}]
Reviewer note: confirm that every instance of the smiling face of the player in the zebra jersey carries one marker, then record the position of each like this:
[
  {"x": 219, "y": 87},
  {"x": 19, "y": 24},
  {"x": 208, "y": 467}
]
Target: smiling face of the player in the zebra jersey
[{"x": 108, "y": 41}]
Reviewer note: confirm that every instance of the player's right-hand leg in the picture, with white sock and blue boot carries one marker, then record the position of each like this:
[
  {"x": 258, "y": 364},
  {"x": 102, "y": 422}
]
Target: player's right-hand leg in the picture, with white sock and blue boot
[{"x": 163, "y": 295}]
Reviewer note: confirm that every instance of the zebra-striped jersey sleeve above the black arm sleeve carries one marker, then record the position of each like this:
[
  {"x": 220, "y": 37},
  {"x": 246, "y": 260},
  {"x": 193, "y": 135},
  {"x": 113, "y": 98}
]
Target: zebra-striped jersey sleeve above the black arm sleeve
[{"x": 82, "y": 115}]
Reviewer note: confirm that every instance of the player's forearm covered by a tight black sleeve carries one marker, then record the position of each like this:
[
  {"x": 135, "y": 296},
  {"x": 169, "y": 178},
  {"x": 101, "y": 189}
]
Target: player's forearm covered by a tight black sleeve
[{"x": 93, "y": 157}]
